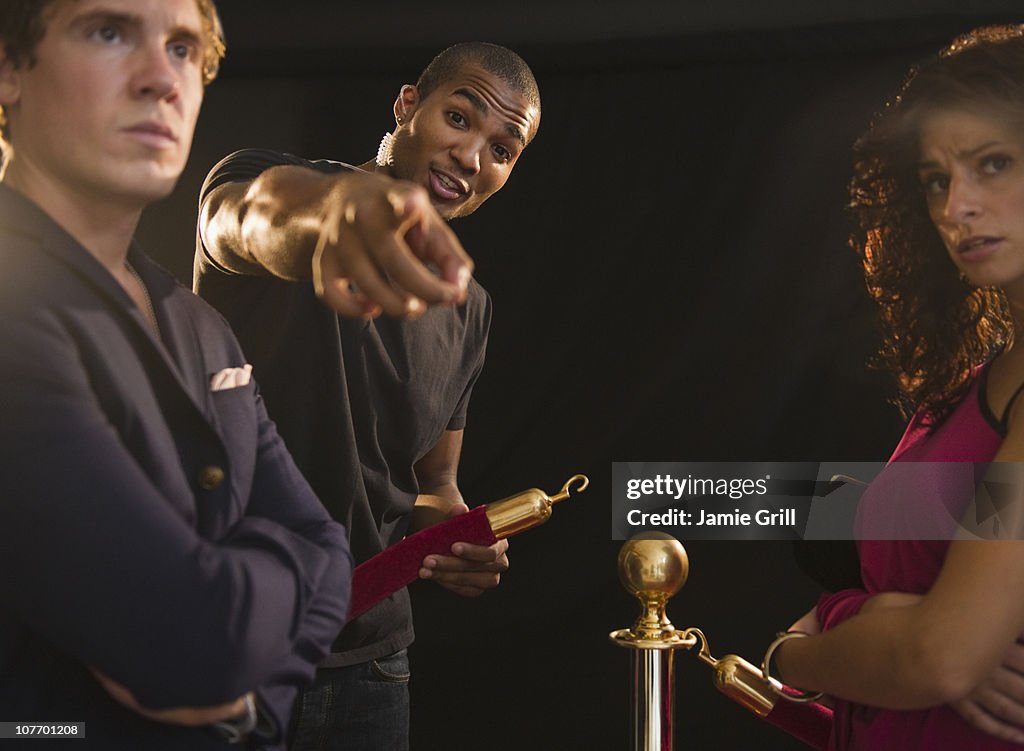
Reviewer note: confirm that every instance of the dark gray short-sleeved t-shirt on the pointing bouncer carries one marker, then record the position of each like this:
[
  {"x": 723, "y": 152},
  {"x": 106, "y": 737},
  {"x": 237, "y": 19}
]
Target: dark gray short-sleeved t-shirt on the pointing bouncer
[{"x": 358, "y": 402}]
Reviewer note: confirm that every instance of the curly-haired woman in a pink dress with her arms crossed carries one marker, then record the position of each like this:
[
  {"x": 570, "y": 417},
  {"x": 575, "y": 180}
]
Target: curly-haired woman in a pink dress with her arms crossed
[{"x": 926, "y": 655}]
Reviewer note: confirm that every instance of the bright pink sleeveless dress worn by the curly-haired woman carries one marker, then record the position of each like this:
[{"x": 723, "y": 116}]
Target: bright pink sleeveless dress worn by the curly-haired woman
[{"x": 970, "y": 434}]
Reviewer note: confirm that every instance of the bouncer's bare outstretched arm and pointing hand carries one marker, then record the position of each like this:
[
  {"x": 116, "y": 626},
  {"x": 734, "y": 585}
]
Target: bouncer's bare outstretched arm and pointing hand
[{"x": 370, "y": 243}]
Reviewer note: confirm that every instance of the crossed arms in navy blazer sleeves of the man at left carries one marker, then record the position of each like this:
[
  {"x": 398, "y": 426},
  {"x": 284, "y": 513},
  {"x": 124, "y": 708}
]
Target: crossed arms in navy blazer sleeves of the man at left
[{"x": 115, "y": 575}]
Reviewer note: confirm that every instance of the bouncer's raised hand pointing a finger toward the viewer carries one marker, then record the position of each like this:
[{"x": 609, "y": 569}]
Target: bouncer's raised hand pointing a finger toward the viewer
[{"x": 383, "y": 248}]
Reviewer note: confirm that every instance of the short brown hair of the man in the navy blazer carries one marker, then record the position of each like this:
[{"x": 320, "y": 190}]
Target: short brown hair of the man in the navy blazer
[{"x": 23, "y": 25}]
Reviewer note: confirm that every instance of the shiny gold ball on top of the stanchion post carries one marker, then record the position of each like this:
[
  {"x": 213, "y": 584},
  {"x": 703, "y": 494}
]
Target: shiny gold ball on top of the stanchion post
[{"x": 653, "y": 564}]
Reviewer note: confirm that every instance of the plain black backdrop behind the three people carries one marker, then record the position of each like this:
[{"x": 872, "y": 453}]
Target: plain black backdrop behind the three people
[{"x": 671, "y": 281}]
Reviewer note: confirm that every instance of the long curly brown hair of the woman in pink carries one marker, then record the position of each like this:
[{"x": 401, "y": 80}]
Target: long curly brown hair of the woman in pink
[{"x": 937, "y": 328}]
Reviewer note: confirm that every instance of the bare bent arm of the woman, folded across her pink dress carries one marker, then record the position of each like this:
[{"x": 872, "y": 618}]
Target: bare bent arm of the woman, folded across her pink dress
[{"x": 938, "y": 649}]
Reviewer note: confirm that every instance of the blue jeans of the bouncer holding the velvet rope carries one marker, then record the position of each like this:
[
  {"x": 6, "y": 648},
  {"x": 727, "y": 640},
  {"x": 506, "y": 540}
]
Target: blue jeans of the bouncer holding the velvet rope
[{"x": 361, "y": 707}]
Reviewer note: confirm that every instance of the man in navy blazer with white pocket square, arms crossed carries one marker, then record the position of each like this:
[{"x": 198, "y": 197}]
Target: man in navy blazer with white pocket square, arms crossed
[{"x": 168, "y": 577}]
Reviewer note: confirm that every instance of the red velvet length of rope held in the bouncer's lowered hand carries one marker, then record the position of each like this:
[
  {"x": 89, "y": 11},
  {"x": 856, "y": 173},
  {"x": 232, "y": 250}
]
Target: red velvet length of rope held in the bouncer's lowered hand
[{"x": 396, "y": 568}]
